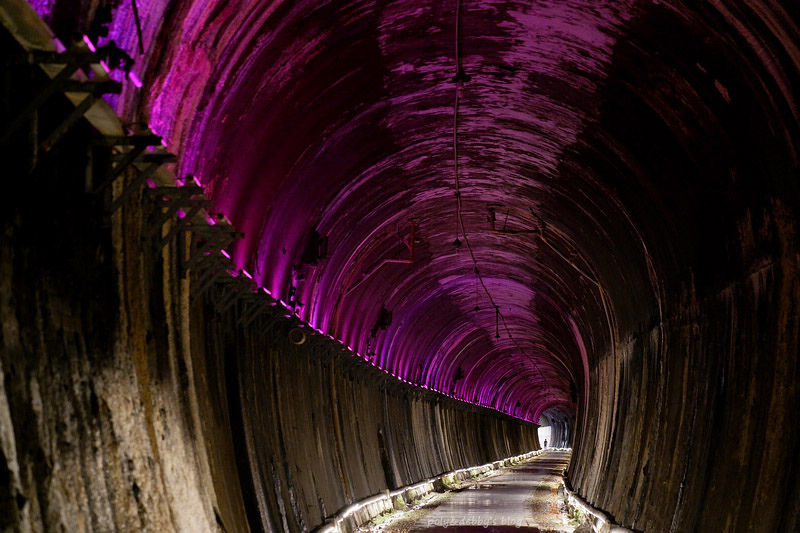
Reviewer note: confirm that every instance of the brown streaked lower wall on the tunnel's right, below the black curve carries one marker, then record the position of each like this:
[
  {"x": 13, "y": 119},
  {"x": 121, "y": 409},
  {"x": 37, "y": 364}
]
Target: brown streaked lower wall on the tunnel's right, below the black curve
[{"x": 695, "y": 423}]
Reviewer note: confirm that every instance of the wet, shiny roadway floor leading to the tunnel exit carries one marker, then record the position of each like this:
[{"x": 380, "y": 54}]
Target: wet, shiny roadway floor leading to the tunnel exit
[{"x": 521, "y": 498}]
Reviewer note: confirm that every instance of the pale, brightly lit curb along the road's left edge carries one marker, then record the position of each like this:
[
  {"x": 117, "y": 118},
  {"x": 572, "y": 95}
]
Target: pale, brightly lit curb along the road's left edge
[{"x": 351, "y": 518}]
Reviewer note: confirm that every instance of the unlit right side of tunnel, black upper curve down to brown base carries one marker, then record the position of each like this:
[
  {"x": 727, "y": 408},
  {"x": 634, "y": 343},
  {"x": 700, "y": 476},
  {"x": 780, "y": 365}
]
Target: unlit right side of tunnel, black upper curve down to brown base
[{"x": 691, "y": 422}]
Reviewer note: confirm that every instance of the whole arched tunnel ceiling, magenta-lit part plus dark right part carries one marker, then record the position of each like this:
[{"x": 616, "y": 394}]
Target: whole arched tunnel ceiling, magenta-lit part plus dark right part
[{"x": 581, "y": 134}]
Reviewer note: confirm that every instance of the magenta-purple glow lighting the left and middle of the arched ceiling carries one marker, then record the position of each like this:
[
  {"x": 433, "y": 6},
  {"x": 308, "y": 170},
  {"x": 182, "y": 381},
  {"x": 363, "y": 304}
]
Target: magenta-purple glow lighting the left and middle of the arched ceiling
[{"x": 291, "y": 133}]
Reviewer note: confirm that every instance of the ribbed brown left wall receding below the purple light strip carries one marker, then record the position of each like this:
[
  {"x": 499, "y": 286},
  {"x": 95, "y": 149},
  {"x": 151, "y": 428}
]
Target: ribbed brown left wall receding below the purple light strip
[{"x": 321, "y": 429}]
